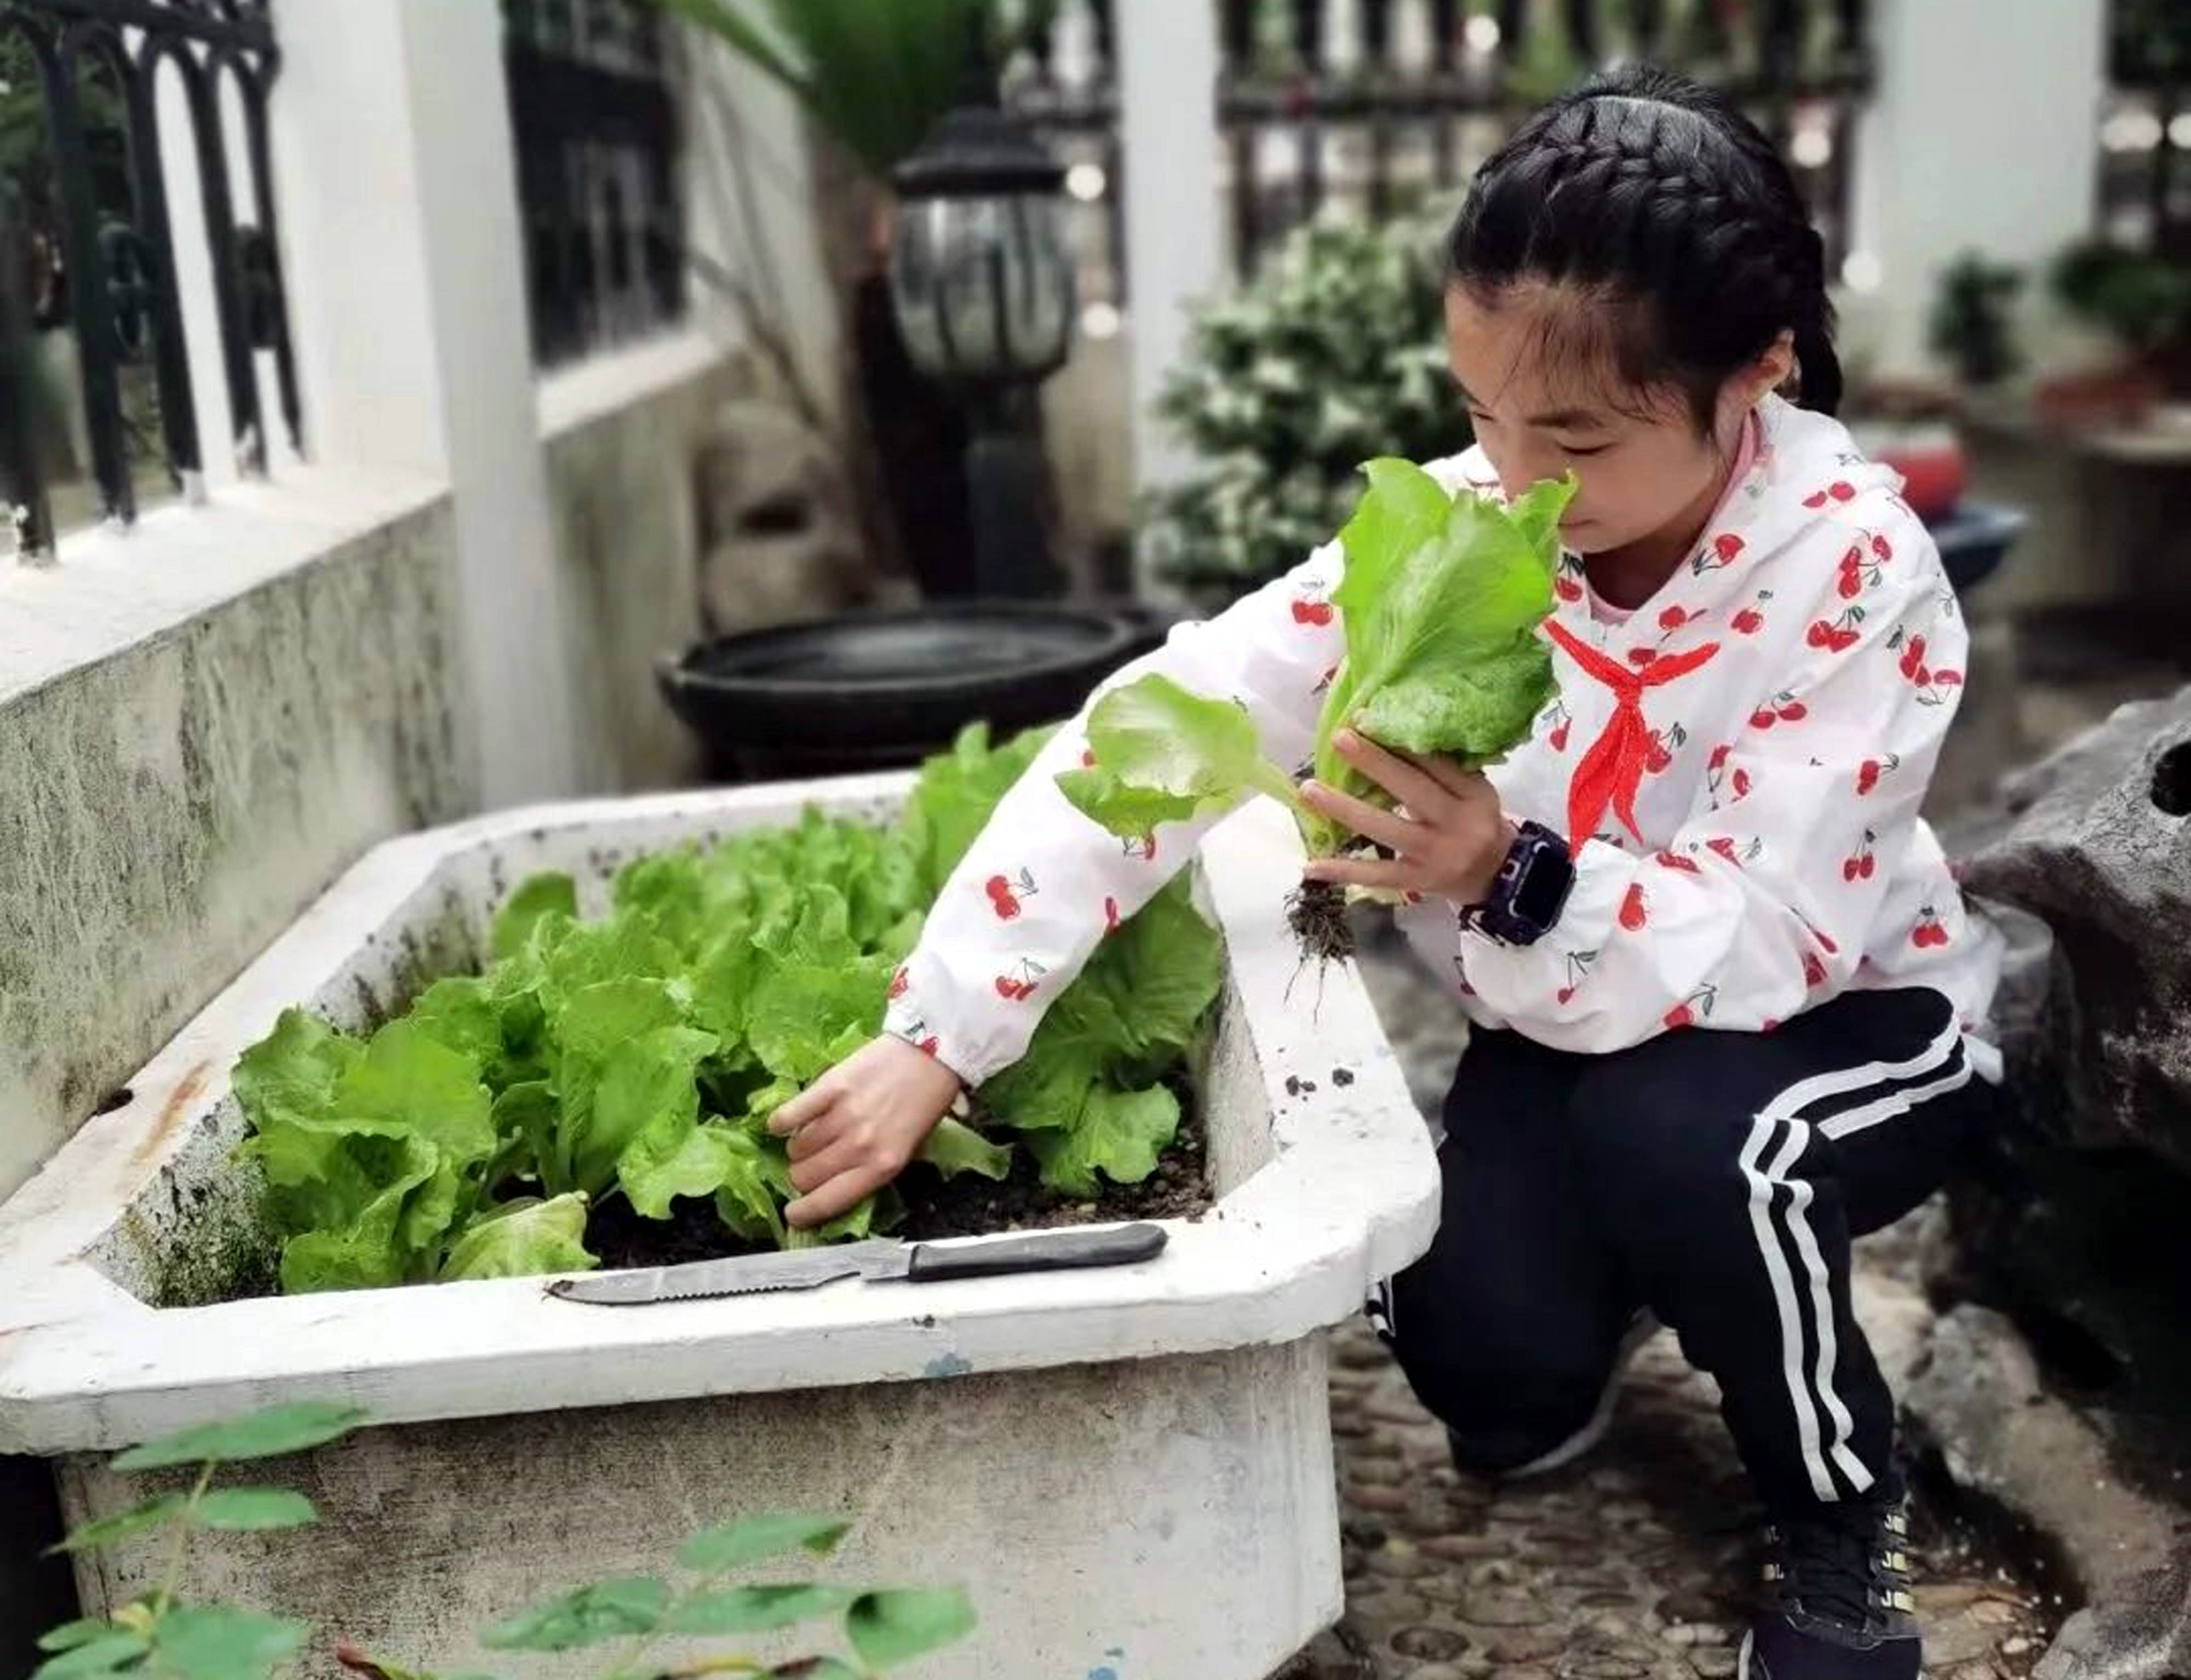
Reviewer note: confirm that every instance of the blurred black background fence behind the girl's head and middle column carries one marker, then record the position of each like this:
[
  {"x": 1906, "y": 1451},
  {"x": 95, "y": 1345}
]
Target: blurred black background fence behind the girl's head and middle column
[{"x": 1384, "y": 104}]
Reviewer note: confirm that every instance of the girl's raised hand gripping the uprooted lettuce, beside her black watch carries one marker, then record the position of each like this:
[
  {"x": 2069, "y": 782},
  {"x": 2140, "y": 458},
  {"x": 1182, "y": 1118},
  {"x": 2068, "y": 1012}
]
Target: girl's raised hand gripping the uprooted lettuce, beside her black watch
[{"x": 1449, "y": 833}]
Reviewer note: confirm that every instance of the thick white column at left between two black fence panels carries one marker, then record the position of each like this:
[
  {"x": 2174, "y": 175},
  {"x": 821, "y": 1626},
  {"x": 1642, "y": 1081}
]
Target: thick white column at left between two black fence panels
[{"x": 409, "y": 308}]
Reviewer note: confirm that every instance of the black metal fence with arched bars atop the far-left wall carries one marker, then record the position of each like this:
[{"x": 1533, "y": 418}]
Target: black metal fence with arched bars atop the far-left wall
[{"x": 89, "y": 255}]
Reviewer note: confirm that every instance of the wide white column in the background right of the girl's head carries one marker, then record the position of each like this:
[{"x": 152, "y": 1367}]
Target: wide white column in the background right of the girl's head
[{"x": 1984, "y": 137}]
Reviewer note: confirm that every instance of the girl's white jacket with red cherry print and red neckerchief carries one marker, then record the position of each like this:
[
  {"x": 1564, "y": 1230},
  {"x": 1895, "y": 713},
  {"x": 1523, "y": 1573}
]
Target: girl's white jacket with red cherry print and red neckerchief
[{"x": 1791, "y": 687}]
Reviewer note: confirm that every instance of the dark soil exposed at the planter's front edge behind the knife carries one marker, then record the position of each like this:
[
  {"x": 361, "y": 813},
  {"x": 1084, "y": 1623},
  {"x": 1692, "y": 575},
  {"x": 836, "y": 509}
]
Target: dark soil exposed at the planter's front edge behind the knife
[{"x": 934, "y": 1208}]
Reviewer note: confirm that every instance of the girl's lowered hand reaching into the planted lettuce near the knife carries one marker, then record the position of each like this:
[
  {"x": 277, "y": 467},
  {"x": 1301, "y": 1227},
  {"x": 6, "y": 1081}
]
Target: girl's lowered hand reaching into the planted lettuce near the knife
[{"x": 858, "y": 1127}]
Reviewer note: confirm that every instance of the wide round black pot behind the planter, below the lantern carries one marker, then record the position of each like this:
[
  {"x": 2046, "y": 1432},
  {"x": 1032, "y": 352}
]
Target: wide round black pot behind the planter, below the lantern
[{"x": 886, "y": 691}]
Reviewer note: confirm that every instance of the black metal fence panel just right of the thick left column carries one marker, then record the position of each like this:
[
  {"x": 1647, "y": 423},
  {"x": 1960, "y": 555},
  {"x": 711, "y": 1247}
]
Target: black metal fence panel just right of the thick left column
[{"x": 599, "y": 163}]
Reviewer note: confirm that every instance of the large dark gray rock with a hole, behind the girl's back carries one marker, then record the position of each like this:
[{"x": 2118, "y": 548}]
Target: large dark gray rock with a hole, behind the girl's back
[{"x": 2102, "y": 851}]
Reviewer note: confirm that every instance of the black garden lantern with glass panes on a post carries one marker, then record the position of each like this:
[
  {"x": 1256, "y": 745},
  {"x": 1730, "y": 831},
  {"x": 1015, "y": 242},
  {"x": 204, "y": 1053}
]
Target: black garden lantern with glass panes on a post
[{"x": 985, "y": 301}]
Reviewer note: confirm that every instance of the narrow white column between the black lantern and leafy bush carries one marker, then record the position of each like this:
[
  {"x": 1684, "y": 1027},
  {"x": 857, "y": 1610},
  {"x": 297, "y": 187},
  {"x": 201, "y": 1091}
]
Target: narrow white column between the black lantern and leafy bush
[{"x": 1175, "y": 242}]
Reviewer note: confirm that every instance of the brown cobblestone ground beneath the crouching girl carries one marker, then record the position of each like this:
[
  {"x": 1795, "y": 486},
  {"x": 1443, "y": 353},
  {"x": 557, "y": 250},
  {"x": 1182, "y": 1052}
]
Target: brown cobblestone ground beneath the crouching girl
[{"x": 1633, "y": 1565}]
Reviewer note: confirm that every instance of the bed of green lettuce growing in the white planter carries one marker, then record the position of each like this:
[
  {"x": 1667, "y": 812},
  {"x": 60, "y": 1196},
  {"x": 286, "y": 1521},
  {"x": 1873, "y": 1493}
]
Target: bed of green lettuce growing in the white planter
[{"x": 615, "y": 1077}]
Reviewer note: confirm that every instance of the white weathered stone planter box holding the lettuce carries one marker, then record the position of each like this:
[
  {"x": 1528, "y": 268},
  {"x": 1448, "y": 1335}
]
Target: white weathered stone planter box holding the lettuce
[{"x": 1127, "y": 1469}]
